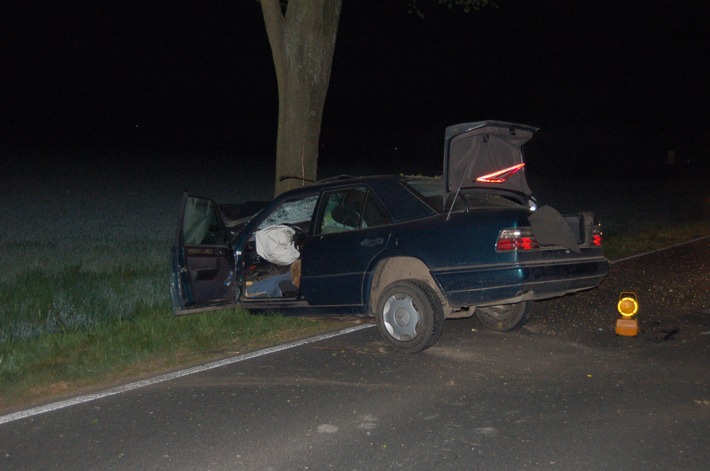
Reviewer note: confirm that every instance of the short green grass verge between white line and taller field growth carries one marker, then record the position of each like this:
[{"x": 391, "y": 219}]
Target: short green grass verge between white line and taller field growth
[{"x": 68, "y": 359}]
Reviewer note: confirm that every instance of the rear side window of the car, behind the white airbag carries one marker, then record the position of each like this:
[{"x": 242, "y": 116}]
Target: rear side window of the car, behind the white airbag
[{"x": 347, "y": 210}]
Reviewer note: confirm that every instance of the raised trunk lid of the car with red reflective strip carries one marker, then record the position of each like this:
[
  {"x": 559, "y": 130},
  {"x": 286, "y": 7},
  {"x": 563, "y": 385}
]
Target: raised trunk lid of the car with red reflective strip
[{"x": 486, "y": 154}]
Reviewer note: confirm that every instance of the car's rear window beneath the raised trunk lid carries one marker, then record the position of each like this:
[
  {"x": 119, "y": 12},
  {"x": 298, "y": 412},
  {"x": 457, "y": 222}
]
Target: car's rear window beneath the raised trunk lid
[{"x": 431, "y": 191}]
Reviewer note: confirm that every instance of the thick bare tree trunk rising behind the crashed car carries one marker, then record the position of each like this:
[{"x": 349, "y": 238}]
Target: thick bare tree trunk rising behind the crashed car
[{"x": 302, "y": 44}]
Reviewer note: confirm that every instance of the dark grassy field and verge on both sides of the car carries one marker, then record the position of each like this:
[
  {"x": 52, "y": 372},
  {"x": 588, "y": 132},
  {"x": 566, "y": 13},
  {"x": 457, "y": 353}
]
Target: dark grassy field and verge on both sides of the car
[{"x": 84, "y": 295}]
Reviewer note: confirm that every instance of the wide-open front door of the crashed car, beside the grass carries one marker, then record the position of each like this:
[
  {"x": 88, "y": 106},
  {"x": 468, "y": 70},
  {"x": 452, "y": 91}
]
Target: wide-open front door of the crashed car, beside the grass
[{"x": 203, "y": 265}]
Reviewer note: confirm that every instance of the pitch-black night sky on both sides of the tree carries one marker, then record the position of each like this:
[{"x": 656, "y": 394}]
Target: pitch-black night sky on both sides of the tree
[{"x": 606, "y": 81}]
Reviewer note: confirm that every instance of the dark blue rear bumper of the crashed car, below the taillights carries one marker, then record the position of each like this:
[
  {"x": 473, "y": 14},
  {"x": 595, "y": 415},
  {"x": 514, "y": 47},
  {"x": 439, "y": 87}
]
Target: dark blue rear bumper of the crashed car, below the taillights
[{"x": 523, "y": 281}]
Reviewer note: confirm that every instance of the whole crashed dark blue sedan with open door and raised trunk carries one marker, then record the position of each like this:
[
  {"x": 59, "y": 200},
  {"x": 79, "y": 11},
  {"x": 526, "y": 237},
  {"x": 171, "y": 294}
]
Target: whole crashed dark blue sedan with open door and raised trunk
[{"x": 409, "y": 251}]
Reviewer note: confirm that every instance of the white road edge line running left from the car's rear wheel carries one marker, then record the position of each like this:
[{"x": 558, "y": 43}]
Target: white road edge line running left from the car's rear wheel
[{"x": 175, "y": 374}]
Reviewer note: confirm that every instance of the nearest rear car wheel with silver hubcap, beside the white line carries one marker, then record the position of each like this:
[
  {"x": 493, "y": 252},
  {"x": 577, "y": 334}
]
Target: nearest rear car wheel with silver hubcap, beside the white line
[{"x": 410, "y": 315}]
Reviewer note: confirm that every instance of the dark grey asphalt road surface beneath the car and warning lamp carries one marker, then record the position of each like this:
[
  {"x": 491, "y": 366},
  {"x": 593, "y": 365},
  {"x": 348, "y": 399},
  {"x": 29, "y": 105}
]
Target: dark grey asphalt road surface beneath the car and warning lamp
[{"x": 562, "y": 393}]
